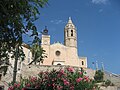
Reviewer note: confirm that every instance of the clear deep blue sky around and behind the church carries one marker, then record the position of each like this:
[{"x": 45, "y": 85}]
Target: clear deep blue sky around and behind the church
[{"x": 98, "y": 28}]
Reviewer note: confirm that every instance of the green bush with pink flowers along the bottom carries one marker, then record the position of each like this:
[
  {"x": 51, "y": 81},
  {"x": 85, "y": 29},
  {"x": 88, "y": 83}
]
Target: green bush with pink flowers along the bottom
[{"x": 63, "y": 79}]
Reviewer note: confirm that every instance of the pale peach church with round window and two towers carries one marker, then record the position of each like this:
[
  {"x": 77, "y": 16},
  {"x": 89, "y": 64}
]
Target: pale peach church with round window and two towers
[{"x": 63, "y": 54}]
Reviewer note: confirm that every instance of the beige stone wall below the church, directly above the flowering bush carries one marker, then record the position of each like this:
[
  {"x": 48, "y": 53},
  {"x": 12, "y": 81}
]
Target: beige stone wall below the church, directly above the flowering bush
[{"x": 35, "y": 69}]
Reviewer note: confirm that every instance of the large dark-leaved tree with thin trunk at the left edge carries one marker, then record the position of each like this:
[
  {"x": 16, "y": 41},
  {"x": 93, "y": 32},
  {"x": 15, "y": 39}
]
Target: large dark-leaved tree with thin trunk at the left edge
[{"x": 17, "y": 18}]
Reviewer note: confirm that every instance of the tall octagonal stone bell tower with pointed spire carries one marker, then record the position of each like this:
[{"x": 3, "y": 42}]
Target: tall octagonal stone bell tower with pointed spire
[{"x": 70, "y": 34}]
